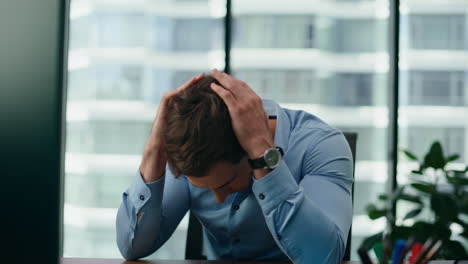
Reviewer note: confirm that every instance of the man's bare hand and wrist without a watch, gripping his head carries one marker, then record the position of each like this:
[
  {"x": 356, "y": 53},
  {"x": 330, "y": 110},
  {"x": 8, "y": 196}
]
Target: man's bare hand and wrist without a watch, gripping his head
[{"x": 154, "y": 159}]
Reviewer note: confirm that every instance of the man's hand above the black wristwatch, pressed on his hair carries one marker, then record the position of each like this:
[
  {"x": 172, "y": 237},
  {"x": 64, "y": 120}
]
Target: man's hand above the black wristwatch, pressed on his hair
[{"x": 249, "y": 119}]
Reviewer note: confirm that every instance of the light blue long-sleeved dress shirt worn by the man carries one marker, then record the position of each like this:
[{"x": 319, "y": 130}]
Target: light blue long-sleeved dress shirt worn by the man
[{"x": 300, "y": 211}]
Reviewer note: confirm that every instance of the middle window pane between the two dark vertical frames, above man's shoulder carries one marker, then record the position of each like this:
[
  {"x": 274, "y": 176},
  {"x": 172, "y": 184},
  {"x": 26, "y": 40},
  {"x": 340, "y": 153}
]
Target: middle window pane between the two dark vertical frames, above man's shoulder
[{"x": 311, "y": 61}]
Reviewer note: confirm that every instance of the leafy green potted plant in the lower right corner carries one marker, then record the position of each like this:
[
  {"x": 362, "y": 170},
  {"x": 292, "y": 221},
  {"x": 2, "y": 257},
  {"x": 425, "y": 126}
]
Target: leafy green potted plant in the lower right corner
[{"x": 438, "y": 199}]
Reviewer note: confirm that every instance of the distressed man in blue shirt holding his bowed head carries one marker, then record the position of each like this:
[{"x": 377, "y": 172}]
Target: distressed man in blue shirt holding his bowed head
[{"x": 267, "y": 183}]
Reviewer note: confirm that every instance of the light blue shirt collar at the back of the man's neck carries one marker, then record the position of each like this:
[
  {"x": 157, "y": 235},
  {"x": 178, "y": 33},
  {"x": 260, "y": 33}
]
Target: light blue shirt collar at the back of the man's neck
[{"x": 283, "y": 124}]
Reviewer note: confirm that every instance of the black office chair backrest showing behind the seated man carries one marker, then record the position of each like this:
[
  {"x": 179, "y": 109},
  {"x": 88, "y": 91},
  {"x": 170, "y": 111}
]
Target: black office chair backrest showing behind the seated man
[{"x": 194, "y": 246}]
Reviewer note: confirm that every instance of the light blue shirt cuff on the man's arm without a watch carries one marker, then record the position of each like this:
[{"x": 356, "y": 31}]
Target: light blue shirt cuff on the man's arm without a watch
[{"x": 140, "y": 192}]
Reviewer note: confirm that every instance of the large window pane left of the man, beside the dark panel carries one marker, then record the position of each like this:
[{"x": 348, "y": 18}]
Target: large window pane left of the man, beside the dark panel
[{"x": 123, "y": 57}]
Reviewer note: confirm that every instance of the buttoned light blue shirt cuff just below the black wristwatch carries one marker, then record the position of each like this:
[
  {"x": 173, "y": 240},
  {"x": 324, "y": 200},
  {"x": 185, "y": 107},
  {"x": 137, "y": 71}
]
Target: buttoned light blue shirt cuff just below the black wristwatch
[{"x": 275, "y": 187}]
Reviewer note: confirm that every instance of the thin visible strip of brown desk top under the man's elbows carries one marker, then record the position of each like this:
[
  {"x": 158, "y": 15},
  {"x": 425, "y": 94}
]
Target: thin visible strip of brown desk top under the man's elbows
[{"x": 121, "y": 261}]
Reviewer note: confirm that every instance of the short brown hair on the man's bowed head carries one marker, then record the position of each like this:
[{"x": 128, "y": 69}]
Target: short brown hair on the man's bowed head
[{"x": 199, "y": 131}]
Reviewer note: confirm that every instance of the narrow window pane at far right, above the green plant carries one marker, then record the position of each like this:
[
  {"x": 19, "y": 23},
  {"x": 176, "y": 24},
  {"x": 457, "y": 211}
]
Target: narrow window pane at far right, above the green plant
[{"x": 434, "y": 93}]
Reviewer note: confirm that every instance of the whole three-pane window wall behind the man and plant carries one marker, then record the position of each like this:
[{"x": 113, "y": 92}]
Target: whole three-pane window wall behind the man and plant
[{"x": 323, "y": 57}]
